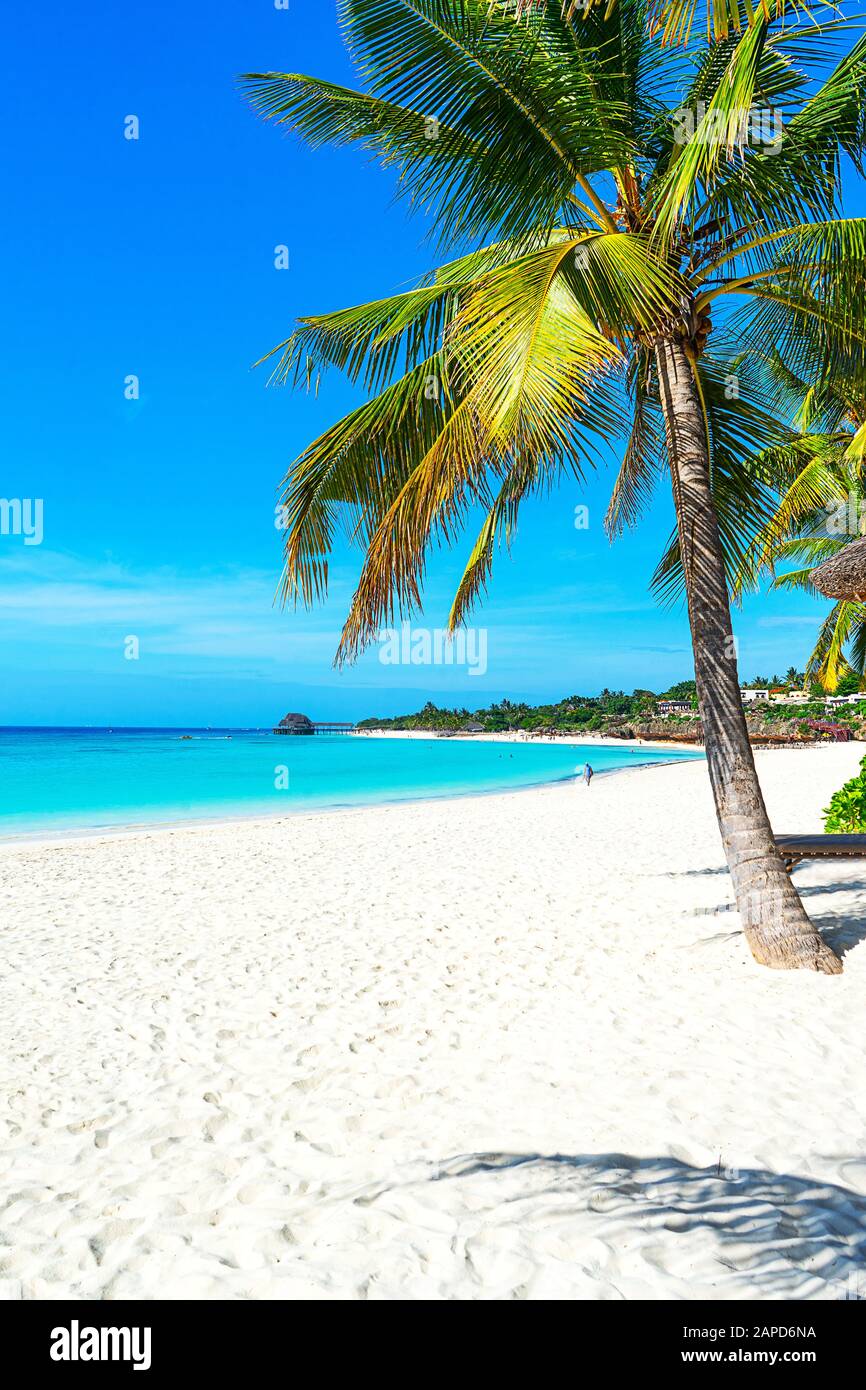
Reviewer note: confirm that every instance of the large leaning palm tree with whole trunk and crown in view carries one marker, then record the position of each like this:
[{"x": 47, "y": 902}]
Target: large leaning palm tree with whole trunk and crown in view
[{"x": 610, "y": 195}]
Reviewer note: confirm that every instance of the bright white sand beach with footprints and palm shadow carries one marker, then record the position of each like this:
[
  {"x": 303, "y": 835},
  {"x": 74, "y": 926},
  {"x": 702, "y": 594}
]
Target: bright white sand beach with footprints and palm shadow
[{"x": 503, "y": 1047}]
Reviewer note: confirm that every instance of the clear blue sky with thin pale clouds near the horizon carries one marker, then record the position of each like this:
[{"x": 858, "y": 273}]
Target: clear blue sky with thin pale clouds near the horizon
[{"x": 155, "y": 258}]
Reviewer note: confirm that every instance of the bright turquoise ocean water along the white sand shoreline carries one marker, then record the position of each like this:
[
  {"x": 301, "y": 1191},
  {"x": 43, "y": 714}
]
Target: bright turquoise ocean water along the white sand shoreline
[{"x": 81, "y": 779}]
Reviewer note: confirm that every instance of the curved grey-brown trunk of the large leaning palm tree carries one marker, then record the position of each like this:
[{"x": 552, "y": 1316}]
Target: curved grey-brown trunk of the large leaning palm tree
[{"x": 774, "y": 918}]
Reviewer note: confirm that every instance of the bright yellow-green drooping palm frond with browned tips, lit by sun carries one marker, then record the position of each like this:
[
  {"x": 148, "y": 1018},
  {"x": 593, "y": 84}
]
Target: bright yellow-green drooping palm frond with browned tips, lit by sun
[{"x": 528, "y": 366}]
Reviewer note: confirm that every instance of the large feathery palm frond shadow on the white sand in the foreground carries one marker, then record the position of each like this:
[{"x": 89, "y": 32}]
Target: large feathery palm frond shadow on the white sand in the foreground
[{"x": 687, "y": 1232}]
